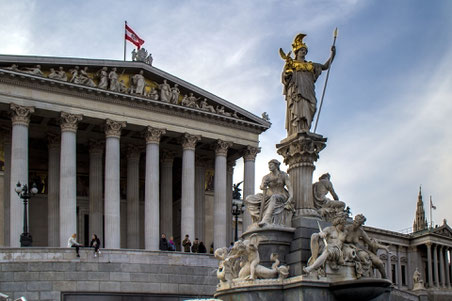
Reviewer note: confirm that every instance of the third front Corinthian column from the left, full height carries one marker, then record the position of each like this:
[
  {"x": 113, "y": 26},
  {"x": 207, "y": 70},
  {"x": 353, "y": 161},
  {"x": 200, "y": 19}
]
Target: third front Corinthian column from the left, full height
[{"x": 112, "y": 192}]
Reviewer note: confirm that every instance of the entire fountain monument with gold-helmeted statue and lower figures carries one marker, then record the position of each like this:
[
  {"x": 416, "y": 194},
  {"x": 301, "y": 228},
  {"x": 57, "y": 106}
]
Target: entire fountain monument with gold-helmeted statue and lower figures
[{"x": 301, "y": 244}]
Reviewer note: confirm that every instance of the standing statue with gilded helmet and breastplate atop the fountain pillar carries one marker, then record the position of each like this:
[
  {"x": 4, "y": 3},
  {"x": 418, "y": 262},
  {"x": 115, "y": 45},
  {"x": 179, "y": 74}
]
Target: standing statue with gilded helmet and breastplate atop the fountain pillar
[{"x": 298, "y": 78}]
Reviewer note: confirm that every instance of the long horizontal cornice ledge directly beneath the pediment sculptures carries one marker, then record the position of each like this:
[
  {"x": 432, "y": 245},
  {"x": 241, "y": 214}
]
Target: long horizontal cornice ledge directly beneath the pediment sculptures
[{"x": 106, "y": 96}]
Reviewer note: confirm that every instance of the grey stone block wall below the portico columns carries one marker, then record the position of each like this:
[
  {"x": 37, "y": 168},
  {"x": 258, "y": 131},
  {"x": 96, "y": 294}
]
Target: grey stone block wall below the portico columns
[{"x": 44, "y": 273}]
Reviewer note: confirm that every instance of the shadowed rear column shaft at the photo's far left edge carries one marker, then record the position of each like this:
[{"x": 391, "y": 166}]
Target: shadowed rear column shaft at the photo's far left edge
[{"x": 6, "y": 187}]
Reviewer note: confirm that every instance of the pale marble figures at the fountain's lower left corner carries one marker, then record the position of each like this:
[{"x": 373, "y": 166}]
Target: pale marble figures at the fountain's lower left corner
[{"x": 241, "y": 262}]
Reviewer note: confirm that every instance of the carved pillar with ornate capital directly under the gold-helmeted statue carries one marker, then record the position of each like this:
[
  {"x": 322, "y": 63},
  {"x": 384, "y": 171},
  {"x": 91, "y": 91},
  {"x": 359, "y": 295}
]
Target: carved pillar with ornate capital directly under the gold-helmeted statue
[{"x": 300, "y": 151}]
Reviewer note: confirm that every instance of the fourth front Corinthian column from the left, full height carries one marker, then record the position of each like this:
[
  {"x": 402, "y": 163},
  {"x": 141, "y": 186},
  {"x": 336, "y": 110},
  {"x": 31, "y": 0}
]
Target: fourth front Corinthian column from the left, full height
[{"x": 151, "y": 192}]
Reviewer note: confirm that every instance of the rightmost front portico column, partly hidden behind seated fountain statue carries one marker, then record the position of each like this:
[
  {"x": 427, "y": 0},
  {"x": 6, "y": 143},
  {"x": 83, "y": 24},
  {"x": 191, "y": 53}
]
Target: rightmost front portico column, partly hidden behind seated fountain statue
[{"x": 249, "y": 159}]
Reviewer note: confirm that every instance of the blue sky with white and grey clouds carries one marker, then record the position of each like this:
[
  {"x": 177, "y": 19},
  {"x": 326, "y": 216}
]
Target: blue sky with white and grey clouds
[{"x": 388, "y": 104}]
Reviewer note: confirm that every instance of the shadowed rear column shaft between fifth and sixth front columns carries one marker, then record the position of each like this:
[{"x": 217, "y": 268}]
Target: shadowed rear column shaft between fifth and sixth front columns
[{"x": 199, "y": 199}]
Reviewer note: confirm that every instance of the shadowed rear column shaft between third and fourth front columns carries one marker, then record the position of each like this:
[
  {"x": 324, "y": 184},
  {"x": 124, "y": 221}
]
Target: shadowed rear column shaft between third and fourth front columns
[{"x": 133, "y": 197}]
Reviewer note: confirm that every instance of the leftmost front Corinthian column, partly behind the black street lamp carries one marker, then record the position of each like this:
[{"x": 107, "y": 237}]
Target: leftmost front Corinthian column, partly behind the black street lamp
[{"x": 20, "y": 117}]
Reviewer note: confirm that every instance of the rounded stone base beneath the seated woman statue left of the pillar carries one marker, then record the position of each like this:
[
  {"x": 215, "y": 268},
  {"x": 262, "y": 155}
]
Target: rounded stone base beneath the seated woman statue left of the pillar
[{"x": 277, "y": 240}]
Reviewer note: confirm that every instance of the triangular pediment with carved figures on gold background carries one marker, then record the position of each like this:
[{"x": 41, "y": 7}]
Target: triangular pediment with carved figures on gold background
[{"x": 132, "y": 81}]
